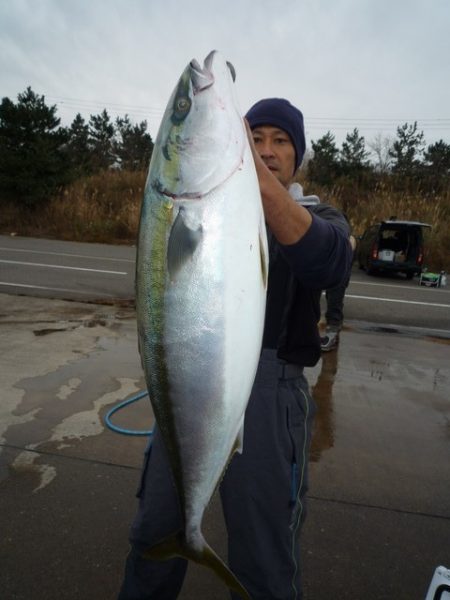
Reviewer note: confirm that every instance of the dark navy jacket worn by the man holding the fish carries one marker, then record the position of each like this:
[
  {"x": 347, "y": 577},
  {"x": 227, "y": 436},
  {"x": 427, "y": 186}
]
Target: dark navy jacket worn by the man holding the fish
[{"x": 297, "y": 275}]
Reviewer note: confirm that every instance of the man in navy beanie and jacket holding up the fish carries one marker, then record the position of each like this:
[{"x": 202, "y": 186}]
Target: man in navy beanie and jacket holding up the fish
[{"x": 263, "y": 490}]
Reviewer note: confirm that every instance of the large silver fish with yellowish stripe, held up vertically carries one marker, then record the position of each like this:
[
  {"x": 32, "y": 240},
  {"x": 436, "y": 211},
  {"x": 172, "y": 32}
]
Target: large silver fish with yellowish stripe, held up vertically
[{"x": 201, "y": 288}]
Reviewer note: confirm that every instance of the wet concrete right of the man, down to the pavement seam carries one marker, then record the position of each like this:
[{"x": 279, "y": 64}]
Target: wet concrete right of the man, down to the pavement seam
[{"x": 382, "y": 431}]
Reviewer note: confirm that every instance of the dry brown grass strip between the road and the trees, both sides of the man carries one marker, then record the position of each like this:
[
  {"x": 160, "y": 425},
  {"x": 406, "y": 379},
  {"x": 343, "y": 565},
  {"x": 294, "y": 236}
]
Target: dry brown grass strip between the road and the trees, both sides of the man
[{"x": 105, "y": 208}]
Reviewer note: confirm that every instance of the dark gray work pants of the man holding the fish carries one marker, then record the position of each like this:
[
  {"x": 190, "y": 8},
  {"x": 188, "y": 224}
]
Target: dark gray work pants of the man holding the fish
[{"x": 263, "y": 497}]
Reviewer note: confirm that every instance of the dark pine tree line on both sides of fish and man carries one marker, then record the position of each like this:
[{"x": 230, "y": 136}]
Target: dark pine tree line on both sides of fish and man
[{"x": 38, "y": 155}]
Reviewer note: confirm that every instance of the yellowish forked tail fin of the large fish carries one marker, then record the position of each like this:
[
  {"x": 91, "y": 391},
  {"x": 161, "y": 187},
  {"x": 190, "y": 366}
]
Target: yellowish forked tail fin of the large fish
[{"x": 202, "y": 554}]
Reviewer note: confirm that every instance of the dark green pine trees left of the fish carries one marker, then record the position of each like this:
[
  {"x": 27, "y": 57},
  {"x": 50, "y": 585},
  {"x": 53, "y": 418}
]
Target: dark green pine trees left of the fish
[{"x": 38, "y": 155}]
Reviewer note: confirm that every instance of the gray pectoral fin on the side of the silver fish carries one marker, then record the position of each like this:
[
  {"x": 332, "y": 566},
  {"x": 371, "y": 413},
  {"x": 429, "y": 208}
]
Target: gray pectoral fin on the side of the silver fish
[{"x": 182, "y": 243}]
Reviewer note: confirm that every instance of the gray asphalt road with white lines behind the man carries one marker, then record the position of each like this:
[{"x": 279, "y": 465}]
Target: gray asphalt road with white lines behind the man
[{"x": 78, "y": 271}]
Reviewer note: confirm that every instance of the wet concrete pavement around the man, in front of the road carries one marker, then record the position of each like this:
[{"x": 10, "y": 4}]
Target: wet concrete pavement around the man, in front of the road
[{"x": 379, "y": 501}]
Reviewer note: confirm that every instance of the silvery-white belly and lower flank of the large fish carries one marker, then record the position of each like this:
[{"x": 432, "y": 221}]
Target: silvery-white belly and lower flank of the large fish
[{"x": 214, "y": 320}]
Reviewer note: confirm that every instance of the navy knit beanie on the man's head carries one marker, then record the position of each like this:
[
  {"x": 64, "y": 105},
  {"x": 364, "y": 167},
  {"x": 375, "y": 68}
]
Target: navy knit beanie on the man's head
[{"x": 278, "y": 112}]
